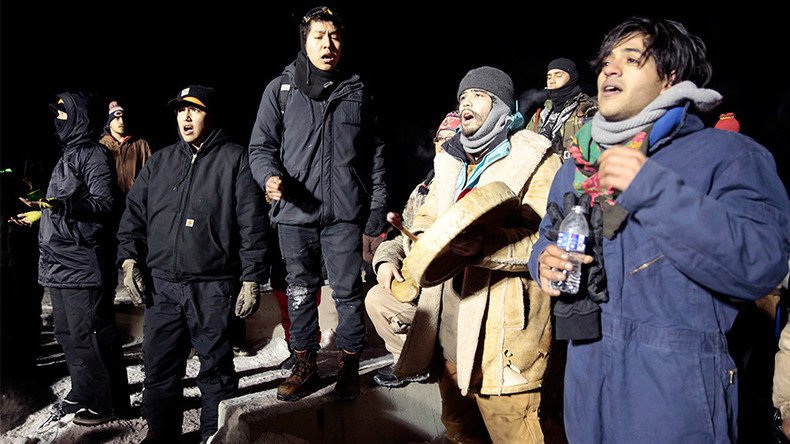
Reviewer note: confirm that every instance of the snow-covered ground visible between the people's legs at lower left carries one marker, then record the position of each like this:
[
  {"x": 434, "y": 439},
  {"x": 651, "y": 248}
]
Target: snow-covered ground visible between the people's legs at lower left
[{"x": 259, "y": 374}]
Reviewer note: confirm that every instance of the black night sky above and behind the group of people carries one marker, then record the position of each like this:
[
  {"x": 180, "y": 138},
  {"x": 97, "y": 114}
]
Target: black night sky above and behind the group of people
[{"x": 412, "y": 56}]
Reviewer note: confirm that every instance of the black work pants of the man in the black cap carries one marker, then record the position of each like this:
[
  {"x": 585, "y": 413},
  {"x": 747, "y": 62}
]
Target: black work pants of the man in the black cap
[{"x": 182, "y": 313}]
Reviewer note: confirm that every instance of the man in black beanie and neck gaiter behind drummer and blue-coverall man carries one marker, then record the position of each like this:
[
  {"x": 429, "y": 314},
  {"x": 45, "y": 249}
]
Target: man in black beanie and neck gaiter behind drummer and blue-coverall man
[{"x": 566, "y": 109}]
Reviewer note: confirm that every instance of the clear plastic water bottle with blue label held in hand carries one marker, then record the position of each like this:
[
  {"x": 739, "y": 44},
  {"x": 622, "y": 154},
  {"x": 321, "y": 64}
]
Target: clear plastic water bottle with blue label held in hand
[{"x": 572, "y": 238}]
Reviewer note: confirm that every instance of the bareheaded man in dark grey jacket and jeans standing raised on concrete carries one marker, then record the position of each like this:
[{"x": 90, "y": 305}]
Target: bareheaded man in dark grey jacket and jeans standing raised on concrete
[{"x": 314, "y": 151}]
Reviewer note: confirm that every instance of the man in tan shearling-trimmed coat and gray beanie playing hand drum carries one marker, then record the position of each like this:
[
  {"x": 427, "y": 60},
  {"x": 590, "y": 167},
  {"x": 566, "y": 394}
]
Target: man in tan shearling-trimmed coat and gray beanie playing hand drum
[{"x": 491, "y": 320}]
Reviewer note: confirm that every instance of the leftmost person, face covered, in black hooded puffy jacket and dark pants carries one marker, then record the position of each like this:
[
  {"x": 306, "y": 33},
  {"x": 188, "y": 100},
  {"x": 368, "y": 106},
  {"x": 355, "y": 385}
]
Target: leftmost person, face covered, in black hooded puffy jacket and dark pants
[{"x": 76, "y": 264}]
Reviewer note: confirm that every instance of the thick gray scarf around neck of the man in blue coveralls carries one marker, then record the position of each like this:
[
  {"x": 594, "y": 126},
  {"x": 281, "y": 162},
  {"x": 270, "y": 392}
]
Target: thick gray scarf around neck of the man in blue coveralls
[{"x": 607, "y": 133}]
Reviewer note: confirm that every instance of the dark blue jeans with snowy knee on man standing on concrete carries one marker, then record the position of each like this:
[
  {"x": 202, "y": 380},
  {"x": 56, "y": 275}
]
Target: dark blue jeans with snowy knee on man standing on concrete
[{"x": 340, "y": 245}]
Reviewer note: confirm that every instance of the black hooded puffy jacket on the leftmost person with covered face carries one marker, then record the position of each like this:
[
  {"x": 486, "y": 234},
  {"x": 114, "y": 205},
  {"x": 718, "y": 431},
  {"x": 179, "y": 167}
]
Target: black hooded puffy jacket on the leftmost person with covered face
[{"x": 76, "y": 239}]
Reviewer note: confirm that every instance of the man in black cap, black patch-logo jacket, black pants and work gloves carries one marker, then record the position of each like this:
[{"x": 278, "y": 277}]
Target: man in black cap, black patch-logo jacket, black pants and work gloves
[{"x": 195, "y": 221}]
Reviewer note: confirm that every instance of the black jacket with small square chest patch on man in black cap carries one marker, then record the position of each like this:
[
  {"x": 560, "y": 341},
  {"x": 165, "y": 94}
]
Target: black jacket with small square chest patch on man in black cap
[{"x": 196, "y": 215}]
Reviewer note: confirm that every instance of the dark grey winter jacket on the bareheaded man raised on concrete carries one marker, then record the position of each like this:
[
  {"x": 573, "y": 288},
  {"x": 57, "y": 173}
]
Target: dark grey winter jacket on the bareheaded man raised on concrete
[{"x": 331, "y": 162}]
